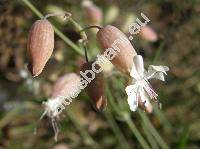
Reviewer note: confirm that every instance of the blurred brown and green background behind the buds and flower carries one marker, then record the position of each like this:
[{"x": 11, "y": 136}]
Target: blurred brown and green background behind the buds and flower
[{"x": 176, "y": 125}]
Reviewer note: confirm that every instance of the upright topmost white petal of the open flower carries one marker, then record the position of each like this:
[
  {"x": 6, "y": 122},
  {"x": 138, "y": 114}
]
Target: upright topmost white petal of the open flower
[{"x": 139, "y": 64}]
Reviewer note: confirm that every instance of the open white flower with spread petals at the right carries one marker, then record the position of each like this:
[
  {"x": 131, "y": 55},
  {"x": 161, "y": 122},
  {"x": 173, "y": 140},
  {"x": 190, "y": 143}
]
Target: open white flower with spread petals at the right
[{"x": 141, "y": 88}]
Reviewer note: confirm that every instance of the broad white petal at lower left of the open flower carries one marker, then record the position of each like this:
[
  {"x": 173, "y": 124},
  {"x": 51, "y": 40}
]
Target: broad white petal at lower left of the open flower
[{"x": 132, "y": 101}]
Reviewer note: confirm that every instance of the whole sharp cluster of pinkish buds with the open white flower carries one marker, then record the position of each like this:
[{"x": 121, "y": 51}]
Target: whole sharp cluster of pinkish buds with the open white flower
[{"x": 115, "y": 47}]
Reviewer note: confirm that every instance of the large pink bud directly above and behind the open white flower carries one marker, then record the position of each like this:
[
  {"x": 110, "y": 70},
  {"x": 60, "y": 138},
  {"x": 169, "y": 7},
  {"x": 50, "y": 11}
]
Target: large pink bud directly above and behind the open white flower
[{"x": 111, "y": 38}]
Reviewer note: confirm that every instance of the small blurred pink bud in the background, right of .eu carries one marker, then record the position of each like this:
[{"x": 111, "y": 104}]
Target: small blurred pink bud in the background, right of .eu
[{"x": 148, "y": 34}]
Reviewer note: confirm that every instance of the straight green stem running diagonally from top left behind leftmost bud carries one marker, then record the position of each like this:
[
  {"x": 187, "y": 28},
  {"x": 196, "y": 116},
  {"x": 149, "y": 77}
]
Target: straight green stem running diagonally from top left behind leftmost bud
[{"x": 57, "y": 31}]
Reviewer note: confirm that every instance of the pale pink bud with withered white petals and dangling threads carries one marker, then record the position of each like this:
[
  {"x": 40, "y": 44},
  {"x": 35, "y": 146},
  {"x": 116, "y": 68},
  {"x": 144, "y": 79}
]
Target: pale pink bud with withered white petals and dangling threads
[{"x": 64, "y": 90}]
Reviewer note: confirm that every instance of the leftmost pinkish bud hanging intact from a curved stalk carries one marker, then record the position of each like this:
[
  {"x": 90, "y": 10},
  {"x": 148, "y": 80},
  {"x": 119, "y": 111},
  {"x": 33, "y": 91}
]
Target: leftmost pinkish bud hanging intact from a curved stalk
[{"x": 40, "y": 45}]
